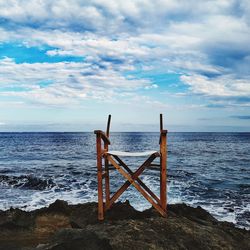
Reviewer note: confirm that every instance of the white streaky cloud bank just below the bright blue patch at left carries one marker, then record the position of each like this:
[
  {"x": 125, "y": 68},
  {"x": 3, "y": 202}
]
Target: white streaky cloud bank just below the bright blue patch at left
[{"x": 66, "y": 81}]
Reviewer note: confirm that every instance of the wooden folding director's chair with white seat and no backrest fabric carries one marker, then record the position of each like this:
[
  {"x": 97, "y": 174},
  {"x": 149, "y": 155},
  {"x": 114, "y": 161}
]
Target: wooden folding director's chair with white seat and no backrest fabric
[{"x": 107, "y": 160}]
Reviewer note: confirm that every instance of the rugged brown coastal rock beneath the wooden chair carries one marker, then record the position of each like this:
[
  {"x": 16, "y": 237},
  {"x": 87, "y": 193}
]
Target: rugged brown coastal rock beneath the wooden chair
[{"x": 62, "y": 226}]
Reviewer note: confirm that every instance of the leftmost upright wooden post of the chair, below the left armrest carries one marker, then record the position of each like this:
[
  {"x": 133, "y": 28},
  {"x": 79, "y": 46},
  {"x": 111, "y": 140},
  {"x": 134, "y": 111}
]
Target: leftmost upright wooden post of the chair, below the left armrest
[{"x": 99, "y": 176}]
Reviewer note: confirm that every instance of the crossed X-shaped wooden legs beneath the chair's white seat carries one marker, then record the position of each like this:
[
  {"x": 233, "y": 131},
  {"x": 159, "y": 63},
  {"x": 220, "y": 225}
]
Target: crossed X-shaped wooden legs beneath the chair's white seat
[{"x": 132, "y": 177}]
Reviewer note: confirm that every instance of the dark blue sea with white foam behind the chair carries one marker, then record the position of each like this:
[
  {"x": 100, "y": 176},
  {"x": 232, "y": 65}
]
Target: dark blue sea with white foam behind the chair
[{"x": 211, "y": 170}]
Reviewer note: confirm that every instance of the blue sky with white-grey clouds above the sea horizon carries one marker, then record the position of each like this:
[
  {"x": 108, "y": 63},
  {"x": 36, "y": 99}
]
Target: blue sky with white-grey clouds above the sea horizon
[{"x": 66, "y": 65}]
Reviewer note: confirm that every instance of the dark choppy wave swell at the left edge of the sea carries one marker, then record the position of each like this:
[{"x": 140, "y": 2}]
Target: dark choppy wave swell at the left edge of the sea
[{"x": 26, "y": 182}]
